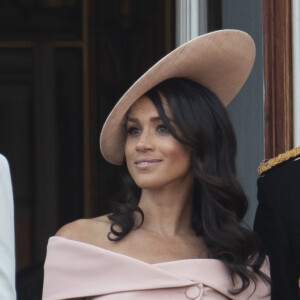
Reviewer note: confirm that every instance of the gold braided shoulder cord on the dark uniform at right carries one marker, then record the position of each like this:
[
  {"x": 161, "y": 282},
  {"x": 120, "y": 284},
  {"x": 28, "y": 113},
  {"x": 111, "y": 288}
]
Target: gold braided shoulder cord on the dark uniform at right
[{"x": 277, "y": 162}]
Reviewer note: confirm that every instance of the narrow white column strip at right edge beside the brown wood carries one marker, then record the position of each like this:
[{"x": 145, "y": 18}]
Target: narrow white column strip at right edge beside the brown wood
[{"x": 296, "y": 70}]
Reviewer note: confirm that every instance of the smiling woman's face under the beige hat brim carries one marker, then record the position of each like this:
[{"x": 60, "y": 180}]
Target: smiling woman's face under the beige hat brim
[{"x": 155, "y": 159}]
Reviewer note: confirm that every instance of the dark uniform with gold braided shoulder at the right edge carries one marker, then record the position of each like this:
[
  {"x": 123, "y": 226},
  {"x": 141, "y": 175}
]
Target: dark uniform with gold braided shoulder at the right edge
[{"x": 277, "y": 221}]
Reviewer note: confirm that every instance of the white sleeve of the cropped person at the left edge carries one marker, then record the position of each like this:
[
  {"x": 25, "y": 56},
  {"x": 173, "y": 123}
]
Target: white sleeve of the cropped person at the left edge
[{"x": 7, "y": 236}]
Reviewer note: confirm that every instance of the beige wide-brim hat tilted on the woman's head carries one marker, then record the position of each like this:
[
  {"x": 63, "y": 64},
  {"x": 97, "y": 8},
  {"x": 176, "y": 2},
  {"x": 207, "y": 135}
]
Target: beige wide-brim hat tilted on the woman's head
[{"x": 220, "y": 60}]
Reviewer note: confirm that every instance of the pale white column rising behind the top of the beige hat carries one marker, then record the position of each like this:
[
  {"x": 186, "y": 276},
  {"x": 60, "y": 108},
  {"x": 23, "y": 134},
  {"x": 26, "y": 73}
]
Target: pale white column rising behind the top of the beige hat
[{"x": 191, "y": 19}]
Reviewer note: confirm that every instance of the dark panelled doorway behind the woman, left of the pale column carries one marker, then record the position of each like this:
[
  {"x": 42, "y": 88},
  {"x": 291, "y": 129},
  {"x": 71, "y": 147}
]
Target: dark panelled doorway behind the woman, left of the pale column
[{"x": 63, "y": 65}]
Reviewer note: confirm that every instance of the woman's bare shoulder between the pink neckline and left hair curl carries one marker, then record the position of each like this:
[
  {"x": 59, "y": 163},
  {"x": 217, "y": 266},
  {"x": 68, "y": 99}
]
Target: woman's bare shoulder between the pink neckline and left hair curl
[{"x": 92, "y": 231}]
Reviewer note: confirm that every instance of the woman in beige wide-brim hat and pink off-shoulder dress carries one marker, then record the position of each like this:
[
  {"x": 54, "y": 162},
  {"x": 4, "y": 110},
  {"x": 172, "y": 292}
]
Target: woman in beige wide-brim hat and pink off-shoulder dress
[{"x": 174, "y": 232}]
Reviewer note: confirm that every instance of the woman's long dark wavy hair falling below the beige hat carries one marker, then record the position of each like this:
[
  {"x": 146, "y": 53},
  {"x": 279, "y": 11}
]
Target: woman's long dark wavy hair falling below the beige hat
[{"x": 219, "y": 203}]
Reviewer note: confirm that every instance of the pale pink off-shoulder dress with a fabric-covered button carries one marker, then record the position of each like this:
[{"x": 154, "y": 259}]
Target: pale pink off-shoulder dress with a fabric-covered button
[{"x": 76, "y": 269}]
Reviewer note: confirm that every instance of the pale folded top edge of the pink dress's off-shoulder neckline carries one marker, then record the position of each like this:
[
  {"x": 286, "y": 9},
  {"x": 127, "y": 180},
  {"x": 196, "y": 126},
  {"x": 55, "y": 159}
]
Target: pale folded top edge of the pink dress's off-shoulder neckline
[{"x": 190, "y": 260}]
